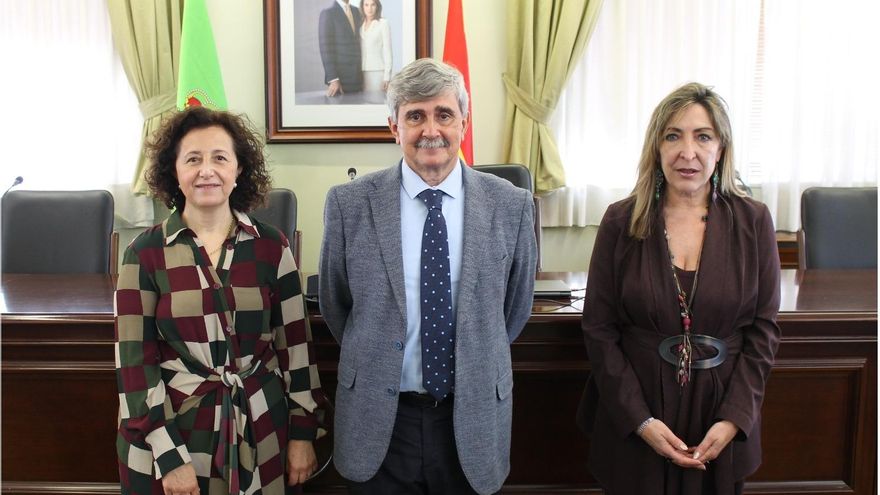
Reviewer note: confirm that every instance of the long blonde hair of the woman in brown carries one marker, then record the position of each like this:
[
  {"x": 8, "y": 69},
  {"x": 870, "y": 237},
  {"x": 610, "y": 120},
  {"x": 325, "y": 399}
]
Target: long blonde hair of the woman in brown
[{"x": 646, "y": 205}]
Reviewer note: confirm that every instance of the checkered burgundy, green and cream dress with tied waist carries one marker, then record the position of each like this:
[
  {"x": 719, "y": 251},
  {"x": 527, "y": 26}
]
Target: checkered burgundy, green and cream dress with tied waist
[{"x": 214, "y": 366}]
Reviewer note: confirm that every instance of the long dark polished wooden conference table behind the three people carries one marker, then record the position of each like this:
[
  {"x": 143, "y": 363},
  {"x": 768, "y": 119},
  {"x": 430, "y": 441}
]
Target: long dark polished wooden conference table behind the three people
[{"x": 59, "y": 398}]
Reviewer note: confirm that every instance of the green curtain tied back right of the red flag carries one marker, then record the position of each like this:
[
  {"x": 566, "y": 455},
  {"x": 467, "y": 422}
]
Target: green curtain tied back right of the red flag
[{"x": 545, "y": 40}]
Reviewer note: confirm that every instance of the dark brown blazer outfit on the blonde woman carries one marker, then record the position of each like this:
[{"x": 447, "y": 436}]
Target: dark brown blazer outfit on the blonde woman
[{"x": 631, "y": 305}]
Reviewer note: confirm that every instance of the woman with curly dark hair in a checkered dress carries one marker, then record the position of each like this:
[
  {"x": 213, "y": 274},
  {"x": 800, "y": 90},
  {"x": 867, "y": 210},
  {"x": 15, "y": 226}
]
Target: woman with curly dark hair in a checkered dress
[{"x": 215, "y": 368}]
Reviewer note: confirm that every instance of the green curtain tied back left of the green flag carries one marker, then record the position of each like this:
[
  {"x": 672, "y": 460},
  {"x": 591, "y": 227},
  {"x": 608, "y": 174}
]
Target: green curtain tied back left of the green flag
[{"x": 146, "y": 34}]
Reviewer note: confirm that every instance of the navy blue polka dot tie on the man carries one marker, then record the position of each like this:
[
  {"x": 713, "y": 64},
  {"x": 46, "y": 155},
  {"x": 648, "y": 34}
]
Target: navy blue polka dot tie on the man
[{"x": 438, "y": 323}]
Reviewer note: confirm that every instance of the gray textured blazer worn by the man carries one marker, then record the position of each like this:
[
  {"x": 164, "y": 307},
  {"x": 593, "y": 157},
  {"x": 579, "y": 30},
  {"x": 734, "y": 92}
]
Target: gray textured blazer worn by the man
[{"x": 363, "y": 301}]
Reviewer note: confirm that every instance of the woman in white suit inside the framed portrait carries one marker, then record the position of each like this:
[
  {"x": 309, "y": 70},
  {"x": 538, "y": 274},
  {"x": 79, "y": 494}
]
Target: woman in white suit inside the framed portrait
[{"x": 375, "y": 47}]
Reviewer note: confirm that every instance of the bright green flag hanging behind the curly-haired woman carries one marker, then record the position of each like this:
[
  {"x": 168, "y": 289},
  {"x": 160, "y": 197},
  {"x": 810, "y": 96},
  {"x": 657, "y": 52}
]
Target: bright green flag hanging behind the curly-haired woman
[{"x": 199, "y": 81}]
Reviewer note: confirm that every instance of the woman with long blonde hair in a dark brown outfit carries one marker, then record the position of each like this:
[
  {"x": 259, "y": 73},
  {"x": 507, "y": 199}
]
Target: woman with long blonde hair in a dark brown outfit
[{"x": 680, "y": 314}]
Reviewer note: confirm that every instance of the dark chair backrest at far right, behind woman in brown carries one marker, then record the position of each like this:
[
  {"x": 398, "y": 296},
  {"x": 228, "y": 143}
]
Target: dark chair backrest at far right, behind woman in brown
[{"x": 839, "y": 227}]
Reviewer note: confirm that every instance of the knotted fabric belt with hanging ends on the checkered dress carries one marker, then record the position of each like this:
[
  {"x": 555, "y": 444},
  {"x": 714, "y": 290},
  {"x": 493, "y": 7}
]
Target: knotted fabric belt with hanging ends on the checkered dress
[{"x": 234, "y": 423}]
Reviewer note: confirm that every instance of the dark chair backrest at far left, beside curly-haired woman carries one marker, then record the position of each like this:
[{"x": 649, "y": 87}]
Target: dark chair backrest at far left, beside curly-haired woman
[{"x": 57, "y": 232}]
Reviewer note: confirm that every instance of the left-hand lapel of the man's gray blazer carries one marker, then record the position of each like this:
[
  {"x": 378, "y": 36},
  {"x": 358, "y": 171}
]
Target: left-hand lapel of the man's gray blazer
[{"x": 385, "y": 209}]
